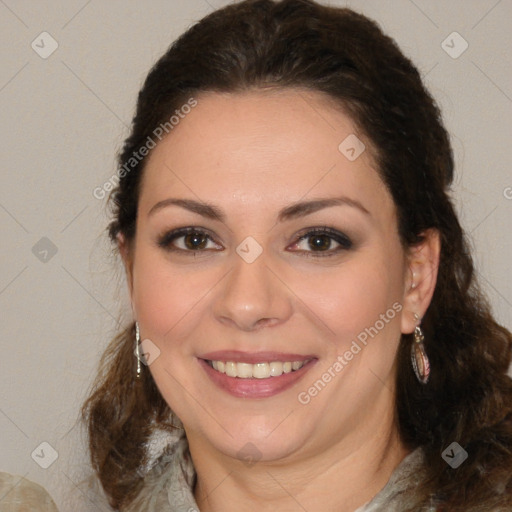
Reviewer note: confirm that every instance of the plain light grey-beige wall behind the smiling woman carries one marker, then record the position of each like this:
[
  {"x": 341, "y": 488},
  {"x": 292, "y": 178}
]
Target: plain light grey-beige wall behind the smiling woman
[{"x": 63, "y": 120}]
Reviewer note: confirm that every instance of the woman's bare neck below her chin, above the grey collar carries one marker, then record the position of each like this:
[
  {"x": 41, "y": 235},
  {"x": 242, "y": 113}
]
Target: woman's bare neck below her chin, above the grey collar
[{"x": 341, "y": 477}]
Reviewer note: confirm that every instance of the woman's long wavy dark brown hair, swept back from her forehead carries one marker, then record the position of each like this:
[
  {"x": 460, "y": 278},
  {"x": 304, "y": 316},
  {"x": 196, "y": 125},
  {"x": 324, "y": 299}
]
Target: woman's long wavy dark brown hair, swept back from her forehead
[{"x": 298, "y": 43}]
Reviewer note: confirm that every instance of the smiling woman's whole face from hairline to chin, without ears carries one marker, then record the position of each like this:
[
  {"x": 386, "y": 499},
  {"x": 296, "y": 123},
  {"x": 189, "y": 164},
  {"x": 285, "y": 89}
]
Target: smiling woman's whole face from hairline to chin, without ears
[{"x": 260, "y": 243}]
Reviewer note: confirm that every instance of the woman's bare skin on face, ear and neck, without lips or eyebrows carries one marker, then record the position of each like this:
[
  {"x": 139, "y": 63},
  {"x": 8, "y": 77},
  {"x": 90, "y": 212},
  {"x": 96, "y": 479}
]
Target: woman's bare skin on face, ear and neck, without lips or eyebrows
[{"x": 250, "y": 155}]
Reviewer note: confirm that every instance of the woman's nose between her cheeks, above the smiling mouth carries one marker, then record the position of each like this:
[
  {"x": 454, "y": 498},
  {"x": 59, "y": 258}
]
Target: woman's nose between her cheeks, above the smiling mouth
[{"x": 252, "y": 296}]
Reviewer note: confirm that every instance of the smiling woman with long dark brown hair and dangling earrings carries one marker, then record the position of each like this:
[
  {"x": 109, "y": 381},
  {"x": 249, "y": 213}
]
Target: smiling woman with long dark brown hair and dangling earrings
[{"x": 308, "y": 331}]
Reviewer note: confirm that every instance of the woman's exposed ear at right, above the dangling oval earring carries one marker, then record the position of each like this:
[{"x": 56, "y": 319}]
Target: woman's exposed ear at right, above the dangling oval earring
[{"x": 421, "y": 278}]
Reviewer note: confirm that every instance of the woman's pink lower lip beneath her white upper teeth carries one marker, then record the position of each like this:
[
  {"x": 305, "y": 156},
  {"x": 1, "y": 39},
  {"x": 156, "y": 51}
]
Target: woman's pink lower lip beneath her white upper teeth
[{"x": 255, "y": 388}]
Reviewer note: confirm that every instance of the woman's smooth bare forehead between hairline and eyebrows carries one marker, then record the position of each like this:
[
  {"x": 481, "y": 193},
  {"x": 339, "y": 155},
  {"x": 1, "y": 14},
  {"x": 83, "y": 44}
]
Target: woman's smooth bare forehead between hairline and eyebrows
[{"x": 263, "y": 147}]
